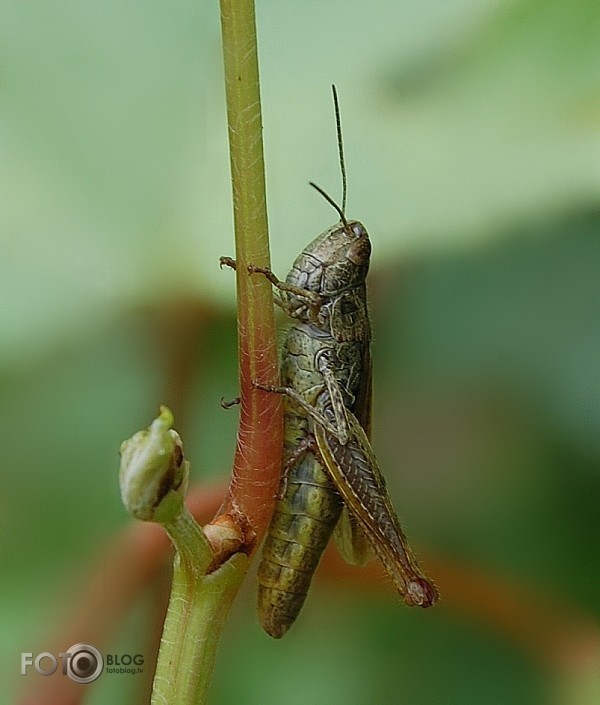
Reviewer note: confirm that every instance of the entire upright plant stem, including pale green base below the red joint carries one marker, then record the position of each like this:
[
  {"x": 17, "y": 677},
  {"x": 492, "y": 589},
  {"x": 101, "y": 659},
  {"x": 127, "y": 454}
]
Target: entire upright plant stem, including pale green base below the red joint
[{"x": 200, "y": 603}]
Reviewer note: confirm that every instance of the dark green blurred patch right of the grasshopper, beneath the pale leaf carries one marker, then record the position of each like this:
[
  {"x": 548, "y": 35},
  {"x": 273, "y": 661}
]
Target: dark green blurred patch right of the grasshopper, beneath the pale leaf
[{"x": 487, "y": 402}]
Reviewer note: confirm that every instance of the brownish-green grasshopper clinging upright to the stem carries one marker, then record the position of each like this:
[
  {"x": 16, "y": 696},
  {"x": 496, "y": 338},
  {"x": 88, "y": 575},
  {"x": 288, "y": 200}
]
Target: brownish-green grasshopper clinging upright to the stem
[{"x": 331, "y": 482}]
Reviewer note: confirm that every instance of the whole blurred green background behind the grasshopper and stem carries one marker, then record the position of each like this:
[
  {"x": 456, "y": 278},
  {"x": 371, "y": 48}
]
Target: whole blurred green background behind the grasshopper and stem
[{"x": 472, "y": 145}]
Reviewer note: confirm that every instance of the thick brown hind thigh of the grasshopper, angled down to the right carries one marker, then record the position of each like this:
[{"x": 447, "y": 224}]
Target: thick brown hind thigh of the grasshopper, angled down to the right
[{"x": 355, "y": 472}]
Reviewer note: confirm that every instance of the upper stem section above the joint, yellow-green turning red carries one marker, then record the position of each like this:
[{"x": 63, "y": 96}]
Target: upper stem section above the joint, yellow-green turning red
[{"x": 257, "y": 461}]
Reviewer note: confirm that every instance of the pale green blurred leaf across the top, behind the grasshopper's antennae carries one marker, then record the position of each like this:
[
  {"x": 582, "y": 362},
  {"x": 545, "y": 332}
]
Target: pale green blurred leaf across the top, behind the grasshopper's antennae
[{"x": 116, "y": 184}]
